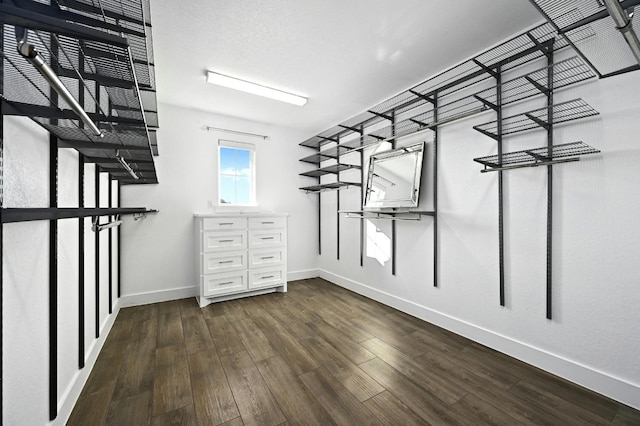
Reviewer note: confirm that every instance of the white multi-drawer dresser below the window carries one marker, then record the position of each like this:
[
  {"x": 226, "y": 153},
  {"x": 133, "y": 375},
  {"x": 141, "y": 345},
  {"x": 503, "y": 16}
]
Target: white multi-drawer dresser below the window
[{"x": 240, "y": 255}]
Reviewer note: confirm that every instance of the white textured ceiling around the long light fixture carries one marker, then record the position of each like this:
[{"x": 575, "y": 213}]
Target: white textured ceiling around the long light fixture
[{"x": 344, "y": 55}]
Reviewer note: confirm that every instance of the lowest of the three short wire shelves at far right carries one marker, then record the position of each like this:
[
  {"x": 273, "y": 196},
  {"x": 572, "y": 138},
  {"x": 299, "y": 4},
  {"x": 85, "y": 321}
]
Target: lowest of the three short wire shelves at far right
[{"x": 537, "y": 156}]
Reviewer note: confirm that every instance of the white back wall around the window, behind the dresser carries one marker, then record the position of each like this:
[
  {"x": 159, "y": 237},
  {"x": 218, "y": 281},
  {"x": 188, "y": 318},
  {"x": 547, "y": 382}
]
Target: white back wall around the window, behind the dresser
[{"x": 158, "y": 252}]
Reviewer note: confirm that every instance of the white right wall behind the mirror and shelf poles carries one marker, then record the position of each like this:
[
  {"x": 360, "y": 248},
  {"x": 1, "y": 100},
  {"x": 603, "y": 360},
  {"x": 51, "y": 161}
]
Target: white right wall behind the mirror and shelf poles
[{"x": 593, "y": 337}]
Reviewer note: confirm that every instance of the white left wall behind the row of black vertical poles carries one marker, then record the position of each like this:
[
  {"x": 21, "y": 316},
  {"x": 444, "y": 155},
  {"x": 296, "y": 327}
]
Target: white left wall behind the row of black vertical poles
[{"x": 25, "y": 280}]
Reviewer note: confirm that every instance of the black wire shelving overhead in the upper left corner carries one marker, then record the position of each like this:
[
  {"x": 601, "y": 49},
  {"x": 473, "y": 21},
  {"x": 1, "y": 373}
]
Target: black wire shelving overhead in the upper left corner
[{"x": 103, "y": 55}]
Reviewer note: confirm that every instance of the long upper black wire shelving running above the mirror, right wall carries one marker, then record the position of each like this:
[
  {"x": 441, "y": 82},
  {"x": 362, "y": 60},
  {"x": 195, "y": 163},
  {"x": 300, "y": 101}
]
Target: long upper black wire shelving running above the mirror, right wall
[{"x": 532, "y": 45}]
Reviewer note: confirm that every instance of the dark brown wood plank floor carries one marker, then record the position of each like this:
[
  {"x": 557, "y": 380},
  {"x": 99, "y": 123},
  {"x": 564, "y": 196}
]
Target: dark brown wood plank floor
[{"x": 316, "y": 355}]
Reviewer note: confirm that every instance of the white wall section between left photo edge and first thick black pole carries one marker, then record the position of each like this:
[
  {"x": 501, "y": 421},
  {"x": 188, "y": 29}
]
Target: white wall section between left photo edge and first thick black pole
[{"x": 25, "y": 280}]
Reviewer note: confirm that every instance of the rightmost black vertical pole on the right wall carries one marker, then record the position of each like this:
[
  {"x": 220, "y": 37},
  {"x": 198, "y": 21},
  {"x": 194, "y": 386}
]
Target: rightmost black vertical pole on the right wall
[{"x": 549, "y": 181}]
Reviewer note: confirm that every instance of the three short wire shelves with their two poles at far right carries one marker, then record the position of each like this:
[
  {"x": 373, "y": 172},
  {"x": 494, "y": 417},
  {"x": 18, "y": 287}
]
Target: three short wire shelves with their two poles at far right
[{"x": 543, "y": 82}]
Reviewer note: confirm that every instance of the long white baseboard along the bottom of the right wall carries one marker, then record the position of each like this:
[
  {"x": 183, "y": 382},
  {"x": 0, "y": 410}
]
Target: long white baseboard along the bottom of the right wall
[{"x": 588, "y": 377}]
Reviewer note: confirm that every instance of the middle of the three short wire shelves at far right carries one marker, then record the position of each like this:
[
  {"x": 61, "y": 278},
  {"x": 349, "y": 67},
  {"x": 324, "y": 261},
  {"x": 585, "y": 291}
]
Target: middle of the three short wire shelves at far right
[{"x": 563, "y": 112}]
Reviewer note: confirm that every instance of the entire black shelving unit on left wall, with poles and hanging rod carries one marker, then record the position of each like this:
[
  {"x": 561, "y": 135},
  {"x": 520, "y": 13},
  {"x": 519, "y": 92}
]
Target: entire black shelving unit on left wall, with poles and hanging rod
[{"x": 102, "y": 54}]
